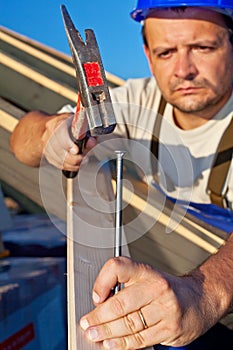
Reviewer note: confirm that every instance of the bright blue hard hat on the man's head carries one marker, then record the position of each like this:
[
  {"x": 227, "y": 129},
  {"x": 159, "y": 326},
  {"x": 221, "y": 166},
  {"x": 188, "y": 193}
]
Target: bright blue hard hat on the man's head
[{"x": 140, "y": 12}]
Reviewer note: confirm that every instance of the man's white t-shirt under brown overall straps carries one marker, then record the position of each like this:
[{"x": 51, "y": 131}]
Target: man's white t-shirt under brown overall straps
[{"x": 185, "y": 156}]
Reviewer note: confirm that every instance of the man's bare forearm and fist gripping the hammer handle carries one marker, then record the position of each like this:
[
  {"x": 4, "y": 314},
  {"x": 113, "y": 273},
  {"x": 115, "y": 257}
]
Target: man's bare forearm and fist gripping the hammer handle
[{"x": 38, "y": 134}]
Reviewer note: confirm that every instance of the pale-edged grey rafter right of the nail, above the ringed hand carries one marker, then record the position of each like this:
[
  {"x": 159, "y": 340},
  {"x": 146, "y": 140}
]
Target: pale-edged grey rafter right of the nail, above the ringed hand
[{"x": 178, "y": 250}]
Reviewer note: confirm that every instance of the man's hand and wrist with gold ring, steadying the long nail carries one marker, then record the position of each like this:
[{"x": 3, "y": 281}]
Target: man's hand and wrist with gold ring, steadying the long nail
[{"x": 155, "y": 307}]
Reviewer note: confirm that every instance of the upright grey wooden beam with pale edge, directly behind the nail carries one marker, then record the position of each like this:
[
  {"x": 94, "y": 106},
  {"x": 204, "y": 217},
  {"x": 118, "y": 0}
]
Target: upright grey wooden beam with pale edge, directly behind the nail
[{"x": 91, "y": 213}]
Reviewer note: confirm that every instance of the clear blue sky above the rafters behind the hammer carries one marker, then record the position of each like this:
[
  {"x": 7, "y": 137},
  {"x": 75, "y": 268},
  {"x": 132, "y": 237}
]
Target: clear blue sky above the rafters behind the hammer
[{"x": 118, "y": 36}]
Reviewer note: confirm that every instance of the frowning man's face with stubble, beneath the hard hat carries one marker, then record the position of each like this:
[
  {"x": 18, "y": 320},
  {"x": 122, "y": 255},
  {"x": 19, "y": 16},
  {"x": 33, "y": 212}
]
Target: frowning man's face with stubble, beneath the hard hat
[{"x": 191, "y": 59}]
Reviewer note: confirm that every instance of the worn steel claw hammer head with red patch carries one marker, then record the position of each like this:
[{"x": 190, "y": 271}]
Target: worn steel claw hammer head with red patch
[{"x": 91, "y": 80}]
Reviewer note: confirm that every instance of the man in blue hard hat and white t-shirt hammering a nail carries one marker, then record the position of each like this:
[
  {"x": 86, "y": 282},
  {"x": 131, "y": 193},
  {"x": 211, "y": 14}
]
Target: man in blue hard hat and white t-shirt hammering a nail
[{"x": 190, "y": 53}]
